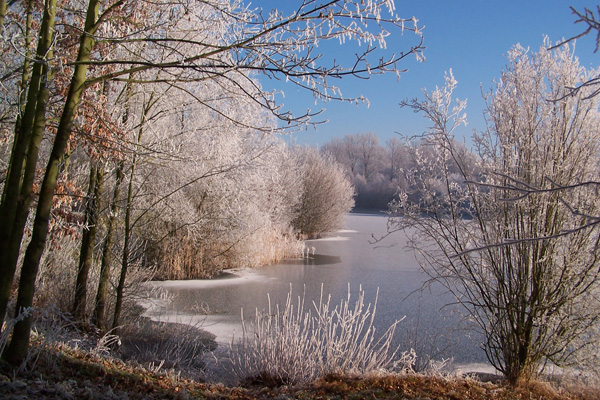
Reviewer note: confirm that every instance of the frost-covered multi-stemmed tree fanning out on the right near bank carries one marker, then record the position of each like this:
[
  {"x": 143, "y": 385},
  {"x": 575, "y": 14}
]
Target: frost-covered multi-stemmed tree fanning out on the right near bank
[{"x": 524, "y": 266}]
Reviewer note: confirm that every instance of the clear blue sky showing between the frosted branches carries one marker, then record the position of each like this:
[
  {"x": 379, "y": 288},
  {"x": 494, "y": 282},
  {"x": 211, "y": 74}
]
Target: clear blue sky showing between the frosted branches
[{"x": 471, "y": 37}]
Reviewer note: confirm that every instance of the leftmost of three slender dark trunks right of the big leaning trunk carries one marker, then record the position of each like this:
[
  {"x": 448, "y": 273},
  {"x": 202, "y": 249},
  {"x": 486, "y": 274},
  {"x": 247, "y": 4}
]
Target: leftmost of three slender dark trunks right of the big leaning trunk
[{"x": 86, "y": 255}]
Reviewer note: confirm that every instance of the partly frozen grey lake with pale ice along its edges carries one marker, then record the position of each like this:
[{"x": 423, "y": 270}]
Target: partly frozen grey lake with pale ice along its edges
[{"x": 347, "y": 258}]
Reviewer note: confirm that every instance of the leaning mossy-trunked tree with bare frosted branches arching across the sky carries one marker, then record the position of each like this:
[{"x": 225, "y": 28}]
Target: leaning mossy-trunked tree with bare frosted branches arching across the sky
[{"x": 219, "y": 40}]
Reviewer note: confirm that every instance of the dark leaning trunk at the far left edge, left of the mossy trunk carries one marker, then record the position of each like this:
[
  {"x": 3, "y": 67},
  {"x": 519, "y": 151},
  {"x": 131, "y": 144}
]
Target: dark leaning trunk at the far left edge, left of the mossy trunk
[{"x": 34, "y": 114}]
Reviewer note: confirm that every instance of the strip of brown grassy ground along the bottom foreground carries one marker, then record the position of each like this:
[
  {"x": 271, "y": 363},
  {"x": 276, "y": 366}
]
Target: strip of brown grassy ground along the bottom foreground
[{"x": 59, "y": 371}]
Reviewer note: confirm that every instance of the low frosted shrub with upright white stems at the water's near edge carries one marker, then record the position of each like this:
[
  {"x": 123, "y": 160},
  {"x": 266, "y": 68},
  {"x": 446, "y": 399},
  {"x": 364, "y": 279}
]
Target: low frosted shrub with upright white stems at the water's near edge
[{"x": 296, "y": 345}]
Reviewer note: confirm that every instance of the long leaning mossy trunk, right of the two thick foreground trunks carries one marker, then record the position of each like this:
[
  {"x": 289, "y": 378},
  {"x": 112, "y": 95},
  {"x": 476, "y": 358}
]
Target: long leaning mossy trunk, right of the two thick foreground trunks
[{"x": 19, "y": 344}]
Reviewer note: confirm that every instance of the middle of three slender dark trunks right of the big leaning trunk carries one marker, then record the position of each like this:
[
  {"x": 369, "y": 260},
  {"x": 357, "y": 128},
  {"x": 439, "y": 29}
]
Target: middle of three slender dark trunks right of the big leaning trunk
[{"x": 98, "y": 317}]
